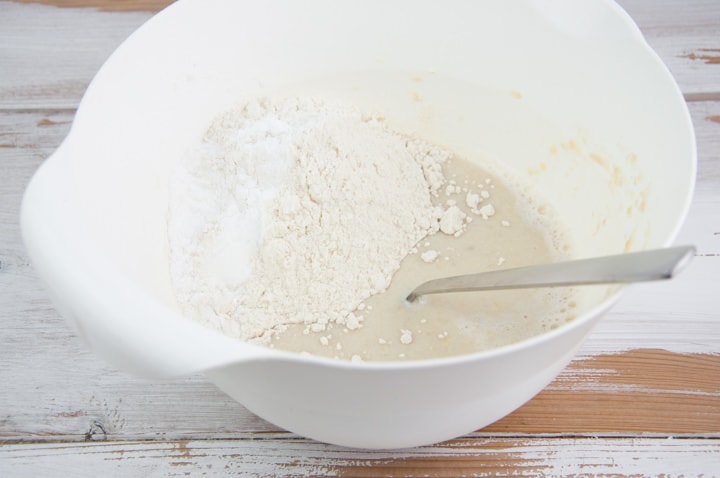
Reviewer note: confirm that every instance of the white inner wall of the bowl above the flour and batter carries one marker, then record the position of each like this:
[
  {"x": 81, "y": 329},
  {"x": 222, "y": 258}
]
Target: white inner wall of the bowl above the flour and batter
[{"x": 567, "y": 100}]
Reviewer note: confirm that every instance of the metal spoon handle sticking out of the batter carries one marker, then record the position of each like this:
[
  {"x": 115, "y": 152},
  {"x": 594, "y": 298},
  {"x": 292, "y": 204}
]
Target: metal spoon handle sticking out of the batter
[{"x": 631, "y": 267}]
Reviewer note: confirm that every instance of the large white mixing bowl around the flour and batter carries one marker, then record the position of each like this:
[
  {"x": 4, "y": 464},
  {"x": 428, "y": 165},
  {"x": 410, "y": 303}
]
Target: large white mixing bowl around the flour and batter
[{"x": 564, "y": 95}]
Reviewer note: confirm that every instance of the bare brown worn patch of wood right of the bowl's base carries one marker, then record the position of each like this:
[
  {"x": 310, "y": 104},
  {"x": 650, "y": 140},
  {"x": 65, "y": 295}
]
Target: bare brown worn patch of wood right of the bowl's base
[{"x": 639, "y": 391}]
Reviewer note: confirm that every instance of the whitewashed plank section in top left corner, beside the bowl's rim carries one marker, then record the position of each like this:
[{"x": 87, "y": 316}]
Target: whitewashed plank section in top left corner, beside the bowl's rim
[{"x": 49, "y": 55}]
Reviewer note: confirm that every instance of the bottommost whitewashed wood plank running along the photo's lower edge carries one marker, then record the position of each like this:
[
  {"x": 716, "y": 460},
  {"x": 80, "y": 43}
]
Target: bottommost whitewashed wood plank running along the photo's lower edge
[{"x": 285, "y": 455}]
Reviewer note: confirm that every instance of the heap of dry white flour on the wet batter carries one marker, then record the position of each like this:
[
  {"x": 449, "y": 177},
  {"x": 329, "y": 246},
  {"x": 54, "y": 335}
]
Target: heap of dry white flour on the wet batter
[{"x": 296, "y": 211}]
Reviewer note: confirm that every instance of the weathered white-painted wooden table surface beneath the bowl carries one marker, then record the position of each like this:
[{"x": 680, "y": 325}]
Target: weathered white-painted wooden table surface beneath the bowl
[{"x": 642, "y": 397}]
